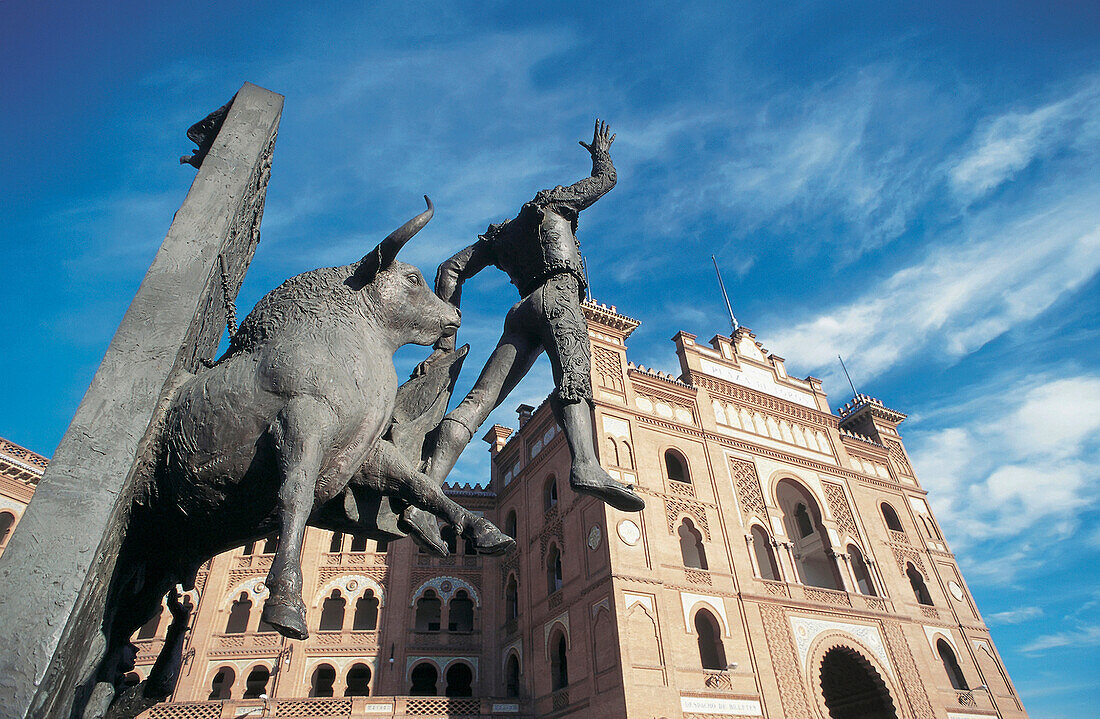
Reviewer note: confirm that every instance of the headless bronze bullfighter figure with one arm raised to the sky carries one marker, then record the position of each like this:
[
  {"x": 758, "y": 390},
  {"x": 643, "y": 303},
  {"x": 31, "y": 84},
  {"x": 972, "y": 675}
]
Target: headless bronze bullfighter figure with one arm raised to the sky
[{"x": 540, "y": 251}]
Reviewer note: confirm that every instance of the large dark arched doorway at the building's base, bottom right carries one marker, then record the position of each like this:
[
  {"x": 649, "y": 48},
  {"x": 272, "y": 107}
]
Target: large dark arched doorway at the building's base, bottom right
[{"x": 853, "y": 689}]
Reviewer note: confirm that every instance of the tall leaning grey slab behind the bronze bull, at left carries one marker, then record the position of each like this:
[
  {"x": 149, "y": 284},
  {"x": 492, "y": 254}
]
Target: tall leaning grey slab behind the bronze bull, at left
[{"x": 58, "y": 566}]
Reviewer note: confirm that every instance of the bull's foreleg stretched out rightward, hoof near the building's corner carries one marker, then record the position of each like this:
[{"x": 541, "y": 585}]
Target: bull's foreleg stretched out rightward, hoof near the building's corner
[{"x": 402, "y": 479}]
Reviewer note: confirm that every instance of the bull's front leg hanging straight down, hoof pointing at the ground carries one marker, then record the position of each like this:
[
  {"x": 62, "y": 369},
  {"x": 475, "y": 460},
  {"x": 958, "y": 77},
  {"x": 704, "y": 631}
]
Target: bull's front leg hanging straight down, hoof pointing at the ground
[{"x": 301, "y": 434}]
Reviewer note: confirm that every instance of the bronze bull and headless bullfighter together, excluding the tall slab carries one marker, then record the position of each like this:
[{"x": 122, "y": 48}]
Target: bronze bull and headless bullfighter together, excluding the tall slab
[{"x": 303, "y": 423}]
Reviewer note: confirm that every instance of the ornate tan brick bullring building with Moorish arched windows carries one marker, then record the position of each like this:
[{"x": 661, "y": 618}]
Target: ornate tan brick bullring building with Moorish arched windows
[{"x": 787, "y": 566}]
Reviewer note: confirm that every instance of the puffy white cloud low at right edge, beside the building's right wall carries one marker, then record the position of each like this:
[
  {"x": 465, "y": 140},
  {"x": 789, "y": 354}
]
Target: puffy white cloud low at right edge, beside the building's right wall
[{"x": 1014, "y": 470}]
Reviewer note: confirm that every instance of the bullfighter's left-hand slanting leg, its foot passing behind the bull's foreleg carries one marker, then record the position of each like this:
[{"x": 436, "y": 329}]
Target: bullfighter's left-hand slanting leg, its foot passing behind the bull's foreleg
[{"x": 519, "y": 349}]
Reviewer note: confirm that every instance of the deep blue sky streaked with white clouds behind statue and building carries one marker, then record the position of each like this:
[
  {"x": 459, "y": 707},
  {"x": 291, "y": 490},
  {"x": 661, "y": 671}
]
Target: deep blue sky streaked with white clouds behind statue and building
[{"x": 915, "y": 187}]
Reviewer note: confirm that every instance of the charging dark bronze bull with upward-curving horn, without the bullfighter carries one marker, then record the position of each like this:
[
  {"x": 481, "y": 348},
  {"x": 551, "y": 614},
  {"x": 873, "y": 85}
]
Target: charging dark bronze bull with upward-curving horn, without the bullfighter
[{"x": 298, "y": 424}]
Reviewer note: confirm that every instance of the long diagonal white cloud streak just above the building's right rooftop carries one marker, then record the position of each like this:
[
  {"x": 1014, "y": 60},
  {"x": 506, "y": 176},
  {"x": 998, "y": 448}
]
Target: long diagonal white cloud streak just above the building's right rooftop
[{"x": 959, "y": 297}]
